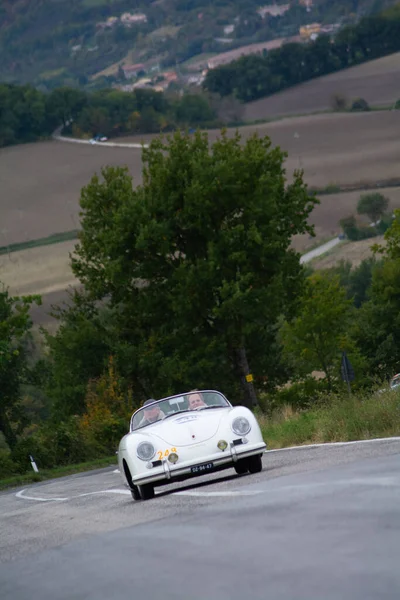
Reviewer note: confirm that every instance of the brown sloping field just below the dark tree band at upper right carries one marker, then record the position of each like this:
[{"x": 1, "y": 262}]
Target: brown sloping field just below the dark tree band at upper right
[{"x": 377, "y": 81}]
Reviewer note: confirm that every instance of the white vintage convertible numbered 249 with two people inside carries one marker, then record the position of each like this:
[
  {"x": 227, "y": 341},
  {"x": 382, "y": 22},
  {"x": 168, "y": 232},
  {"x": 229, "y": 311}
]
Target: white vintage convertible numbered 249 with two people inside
[{"x": 185, "y": 436}]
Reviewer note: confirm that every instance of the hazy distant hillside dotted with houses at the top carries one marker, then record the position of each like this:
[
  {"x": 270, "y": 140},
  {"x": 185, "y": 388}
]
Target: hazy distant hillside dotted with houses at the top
[{"x": 67, "y": 42}]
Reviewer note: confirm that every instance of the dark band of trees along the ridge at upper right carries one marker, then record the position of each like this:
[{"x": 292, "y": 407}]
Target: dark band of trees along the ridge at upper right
[{"x": 252, "y": 77}]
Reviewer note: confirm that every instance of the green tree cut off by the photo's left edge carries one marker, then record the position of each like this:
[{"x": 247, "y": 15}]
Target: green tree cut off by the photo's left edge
[{"x": 15, "y": 325}]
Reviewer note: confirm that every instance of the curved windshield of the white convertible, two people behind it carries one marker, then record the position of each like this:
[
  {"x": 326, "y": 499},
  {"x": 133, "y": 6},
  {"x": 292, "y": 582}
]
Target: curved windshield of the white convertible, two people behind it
[{"x": 190, "y": 401}]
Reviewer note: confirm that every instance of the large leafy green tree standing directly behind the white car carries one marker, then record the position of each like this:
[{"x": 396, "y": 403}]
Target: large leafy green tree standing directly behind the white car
[{"x": 208, "y": 234}]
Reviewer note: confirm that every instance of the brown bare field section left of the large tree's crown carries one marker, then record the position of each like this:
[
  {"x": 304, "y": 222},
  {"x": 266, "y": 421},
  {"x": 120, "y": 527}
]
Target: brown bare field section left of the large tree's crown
[{"x": 41, "y": 183}]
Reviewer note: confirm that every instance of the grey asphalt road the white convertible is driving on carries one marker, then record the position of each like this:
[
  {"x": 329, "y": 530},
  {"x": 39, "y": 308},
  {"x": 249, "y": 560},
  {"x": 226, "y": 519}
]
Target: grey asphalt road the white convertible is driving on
[{"x": 319, "y": 523}]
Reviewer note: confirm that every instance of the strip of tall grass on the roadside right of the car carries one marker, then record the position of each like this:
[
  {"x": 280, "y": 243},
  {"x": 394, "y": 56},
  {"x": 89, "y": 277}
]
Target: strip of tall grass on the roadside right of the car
[{"x": 338, "y": 419}]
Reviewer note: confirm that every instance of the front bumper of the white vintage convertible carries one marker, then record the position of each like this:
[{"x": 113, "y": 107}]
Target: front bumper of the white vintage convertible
[{"x": 168, "y": 472}]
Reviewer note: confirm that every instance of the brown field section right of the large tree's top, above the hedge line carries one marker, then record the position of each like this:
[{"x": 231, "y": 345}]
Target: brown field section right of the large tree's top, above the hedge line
[{"x": 334, "y": 148}]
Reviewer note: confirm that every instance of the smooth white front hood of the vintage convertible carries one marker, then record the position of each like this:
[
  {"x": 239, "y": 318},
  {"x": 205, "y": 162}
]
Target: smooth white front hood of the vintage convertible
[{"x": 188, "y": 428}]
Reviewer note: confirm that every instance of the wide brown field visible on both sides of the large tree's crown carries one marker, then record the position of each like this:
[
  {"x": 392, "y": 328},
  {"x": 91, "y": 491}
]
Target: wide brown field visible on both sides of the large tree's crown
[{"x": 41, "y": 183}]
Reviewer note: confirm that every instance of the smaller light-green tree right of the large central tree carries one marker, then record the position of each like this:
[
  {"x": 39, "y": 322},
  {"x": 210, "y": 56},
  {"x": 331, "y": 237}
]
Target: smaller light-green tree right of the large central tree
[{"x": 313, "y": 340}]
